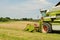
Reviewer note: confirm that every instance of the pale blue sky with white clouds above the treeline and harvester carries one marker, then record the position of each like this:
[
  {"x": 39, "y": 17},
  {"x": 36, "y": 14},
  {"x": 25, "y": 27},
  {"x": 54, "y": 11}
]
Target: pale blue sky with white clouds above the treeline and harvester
[{"x": 24, "y": 8}]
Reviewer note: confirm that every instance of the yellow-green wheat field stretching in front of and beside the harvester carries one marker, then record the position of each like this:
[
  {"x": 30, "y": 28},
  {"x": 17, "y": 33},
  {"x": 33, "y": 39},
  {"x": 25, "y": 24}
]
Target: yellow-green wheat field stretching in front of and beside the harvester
[{"x": 15, "y": 31}]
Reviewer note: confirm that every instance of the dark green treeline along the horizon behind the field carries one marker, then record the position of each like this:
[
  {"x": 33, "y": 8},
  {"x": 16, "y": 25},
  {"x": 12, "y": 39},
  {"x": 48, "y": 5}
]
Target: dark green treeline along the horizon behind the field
[{"x": 5, "y": 19}]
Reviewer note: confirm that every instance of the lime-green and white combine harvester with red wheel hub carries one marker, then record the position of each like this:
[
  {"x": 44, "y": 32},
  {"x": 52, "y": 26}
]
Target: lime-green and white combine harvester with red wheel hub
[{"x": 50, "y": 20}]
